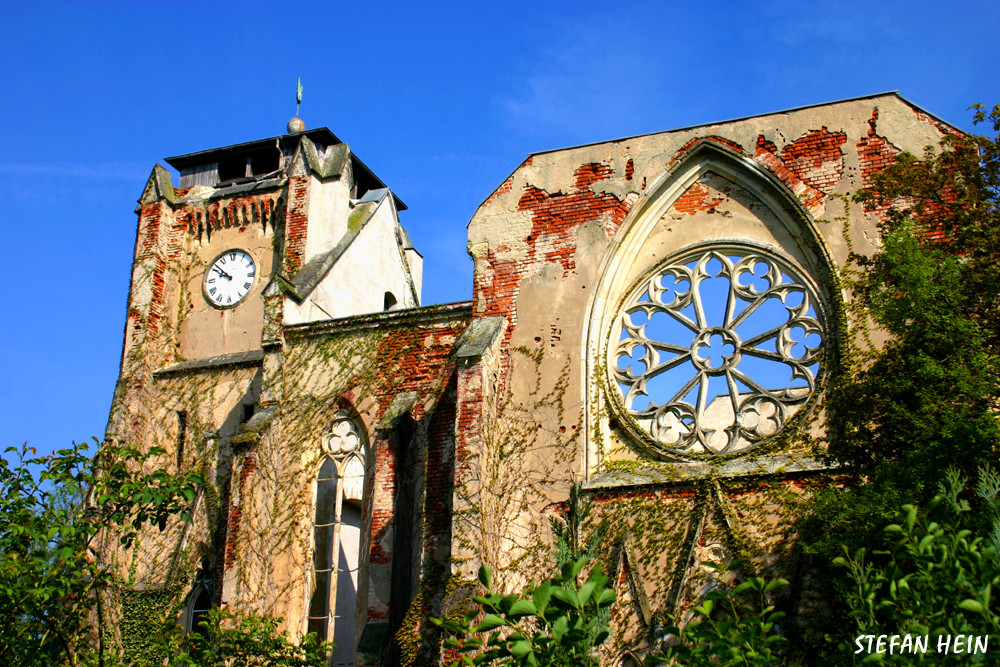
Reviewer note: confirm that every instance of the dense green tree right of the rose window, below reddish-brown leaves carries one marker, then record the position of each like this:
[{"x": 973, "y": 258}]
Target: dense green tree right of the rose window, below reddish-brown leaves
[{"x": 925, "y": 401}]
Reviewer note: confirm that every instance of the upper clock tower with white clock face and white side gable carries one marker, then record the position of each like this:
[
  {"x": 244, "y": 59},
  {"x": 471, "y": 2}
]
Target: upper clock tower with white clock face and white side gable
[{"x": 296, "y": 221}]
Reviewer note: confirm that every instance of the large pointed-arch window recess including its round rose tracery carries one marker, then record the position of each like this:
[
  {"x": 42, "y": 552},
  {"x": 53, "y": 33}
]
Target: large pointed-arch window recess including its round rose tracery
[{"x": 708, "y": 330}]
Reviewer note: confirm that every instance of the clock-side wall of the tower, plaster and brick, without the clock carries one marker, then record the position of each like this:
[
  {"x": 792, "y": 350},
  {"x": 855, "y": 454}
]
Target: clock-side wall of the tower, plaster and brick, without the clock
[{"x": 180, "y": 231}]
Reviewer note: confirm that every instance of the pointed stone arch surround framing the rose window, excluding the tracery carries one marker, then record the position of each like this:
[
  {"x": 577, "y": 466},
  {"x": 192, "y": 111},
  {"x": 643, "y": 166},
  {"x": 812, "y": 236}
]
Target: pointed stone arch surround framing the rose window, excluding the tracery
[{"x": 709, "y": 197}]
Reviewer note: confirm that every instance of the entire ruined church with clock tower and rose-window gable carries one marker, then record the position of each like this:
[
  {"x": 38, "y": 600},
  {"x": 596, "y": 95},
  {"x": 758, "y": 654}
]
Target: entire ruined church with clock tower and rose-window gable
[{"x": 653, "y": 319}]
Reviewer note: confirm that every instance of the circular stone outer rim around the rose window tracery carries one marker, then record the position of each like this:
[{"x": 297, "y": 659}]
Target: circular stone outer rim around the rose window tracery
[{"x": 641, "y": 437}]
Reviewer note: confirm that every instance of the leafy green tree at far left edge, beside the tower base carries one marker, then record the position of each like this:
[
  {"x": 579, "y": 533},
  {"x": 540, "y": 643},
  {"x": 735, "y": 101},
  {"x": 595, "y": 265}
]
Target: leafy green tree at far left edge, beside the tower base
[{"x": 50, "y": 573}]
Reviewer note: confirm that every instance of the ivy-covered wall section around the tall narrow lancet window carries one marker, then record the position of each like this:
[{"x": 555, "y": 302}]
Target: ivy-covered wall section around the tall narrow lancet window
[{"x": 361, "y": 365}]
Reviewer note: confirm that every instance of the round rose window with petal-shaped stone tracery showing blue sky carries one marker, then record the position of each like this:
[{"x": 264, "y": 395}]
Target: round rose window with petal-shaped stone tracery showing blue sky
[{"x": 716, "y": 349}]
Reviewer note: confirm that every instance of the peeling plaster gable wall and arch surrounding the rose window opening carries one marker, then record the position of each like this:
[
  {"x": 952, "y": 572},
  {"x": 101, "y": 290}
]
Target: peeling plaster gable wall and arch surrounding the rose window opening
[{"x": 558, "y": 243}]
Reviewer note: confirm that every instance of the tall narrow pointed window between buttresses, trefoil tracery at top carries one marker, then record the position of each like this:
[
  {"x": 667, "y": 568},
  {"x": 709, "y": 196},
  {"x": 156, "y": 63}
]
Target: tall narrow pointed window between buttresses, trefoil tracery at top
[{"x": 337, "y": 537}]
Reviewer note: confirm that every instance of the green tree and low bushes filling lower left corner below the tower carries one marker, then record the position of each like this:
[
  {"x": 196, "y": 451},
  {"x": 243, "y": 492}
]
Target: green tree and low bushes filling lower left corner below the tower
[{"x": 53, "y": 510}]
